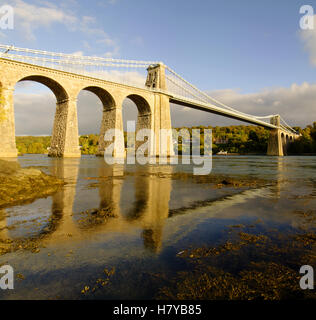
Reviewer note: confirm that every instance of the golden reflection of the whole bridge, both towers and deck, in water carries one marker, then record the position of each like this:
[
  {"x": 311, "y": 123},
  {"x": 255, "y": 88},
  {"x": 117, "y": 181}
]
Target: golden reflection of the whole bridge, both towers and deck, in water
[{"x": 139, "y": 200}]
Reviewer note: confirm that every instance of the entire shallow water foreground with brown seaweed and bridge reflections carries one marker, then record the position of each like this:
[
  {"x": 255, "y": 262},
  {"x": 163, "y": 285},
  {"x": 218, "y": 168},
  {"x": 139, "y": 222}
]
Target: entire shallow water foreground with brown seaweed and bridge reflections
[{"x": 159, "y": 232}]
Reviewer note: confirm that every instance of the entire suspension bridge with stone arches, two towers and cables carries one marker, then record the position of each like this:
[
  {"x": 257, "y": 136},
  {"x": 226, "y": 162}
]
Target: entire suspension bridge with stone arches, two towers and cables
[{"x": 151, "y": 85}]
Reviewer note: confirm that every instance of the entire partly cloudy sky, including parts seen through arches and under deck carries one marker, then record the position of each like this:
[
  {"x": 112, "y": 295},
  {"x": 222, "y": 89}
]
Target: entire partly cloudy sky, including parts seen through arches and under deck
[{"x": 251, "y": 55}]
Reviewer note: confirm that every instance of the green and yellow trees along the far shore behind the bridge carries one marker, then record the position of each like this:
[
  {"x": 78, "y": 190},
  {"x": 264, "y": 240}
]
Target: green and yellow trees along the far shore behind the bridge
[{"x": 233, "y": 139}]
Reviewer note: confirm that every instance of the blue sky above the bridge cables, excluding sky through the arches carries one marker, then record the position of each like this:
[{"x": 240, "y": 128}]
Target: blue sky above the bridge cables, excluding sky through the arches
[{"x": 244, "y": 47}]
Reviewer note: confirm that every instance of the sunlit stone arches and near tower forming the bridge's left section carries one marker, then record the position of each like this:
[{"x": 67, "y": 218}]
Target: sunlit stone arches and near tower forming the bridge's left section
[{"x": 153, "y": 109}]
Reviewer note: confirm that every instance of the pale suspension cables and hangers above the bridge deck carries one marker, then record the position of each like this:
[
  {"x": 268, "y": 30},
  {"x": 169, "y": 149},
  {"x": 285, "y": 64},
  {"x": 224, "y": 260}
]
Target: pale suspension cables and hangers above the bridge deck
[{"x": 127, "y": 72}]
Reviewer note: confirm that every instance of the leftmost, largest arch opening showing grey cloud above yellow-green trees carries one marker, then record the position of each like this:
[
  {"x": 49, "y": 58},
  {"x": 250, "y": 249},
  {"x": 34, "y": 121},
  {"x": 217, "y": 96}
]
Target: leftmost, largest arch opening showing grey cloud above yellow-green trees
[{"x": 35, "y": 99}]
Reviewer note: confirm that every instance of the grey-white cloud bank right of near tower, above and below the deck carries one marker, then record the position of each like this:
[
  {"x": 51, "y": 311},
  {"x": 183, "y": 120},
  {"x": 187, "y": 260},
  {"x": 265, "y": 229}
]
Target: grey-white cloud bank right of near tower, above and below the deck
[{"x": 295, "y": 104}]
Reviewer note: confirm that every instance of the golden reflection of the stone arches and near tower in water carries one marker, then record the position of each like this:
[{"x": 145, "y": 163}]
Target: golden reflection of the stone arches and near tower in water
[{"x": 148, "y": 211}]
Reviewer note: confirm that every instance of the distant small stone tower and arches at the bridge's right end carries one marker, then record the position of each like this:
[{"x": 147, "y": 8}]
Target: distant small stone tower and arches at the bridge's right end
[{"x": 279, "y": 139}]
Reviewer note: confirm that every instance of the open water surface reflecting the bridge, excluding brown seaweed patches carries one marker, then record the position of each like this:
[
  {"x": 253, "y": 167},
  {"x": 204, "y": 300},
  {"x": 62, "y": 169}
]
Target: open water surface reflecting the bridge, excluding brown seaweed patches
[{"x": 156, "y": 217}]
